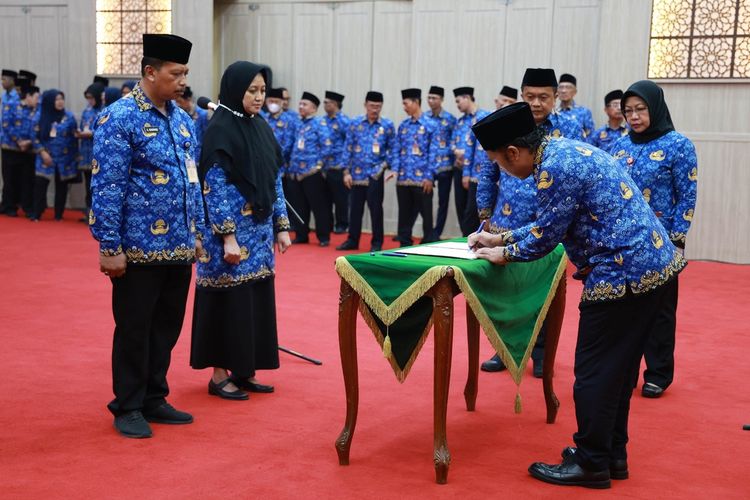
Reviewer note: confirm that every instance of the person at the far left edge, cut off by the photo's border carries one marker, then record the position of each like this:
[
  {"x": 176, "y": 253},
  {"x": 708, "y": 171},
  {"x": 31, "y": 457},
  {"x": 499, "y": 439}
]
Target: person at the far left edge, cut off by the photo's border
[{"x": 10, "y": 103}]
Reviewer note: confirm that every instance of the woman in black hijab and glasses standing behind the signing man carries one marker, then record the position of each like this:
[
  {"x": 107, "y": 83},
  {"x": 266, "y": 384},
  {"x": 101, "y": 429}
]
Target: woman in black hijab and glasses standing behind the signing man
[{"x": 663, "y": 164}]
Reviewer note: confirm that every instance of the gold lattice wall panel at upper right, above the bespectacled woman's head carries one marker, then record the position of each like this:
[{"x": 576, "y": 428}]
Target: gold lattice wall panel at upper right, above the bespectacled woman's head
[{"x": 700, "y": 39}]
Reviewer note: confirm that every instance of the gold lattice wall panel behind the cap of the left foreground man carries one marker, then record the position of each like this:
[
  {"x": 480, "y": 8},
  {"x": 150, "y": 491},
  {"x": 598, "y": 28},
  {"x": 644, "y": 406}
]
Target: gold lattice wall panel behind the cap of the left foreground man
[{"x": 119, "y": 26}]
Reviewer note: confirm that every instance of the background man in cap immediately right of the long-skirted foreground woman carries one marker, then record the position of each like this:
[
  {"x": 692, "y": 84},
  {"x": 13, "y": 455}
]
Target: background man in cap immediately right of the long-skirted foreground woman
[{"x": 307, "y": 187}]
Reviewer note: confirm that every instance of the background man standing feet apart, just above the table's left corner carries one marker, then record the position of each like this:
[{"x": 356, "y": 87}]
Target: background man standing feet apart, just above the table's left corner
[{"x": 371, "y": 148}]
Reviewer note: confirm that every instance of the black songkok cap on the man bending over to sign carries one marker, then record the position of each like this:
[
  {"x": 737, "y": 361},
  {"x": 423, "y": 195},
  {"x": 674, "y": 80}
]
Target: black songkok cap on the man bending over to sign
[{"x": 504, "y": 125}]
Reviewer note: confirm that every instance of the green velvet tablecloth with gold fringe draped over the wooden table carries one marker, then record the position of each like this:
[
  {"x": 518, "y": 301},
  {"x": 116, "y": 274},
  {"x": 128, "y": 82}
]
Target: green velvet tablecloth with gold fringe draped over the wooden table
[{"x": 510, "y": 302}]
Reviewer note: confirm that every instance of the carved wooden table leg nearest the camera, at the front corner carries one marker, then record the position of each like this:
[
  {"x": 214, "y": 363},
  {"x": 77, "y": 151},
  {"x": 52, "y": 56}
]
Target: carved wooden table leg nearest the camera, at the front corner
[{"x": 443, "y": 321}]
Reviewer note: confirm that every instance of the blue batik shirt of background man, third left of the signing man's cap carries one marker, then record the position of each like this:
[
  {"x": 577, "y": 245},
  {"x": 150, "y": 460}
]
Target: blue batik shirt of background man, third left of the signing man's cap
[{"x": 417, "y": 147}]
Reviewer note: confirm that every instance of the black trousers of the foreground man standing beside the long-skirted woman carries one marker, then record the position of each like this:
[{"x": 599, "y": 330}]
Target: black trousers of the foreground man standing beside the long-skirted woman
[{"x": 148, "y": 304}]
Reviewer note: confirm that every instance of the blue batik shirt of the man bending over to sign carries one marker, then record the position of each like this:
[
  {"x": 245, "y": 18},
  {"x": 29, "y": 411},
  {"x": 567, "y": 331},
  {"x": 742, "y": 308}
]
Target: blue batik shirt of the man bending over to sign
[{"x": 588, "y": 202}]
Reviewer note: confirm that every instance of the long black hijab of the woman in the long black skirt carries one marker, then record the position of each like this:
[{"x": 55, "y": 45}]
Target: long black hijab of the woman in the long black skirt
[{"x": 243, "y": 145}]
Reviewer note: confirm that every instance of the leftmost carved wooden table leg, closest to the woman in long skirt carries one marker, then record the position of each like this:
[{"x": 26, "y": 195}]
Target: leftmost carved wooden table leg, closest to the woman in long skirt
[{"x": 348, "y": 303}]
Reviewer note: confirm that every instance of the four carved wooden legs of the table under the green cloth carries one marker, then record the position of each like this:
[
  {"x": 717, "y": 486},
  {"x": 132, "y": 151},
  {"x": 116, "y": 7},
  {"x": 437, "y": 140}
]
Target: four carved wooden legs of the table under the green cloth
[{"x": 442, "y": 294}]
